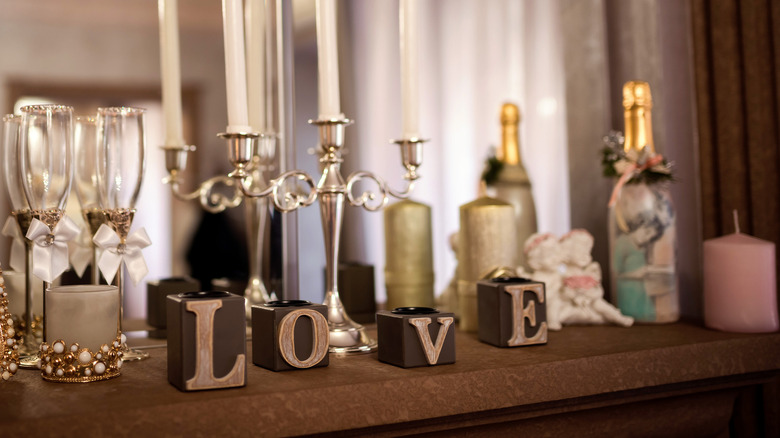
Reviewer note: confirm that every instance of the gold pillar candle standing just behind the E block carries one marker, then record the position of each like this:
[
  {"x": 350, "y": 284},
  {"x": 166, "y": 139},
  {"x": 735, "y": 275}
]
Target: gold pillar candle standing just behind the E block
[{"x": 487, "y": 240}]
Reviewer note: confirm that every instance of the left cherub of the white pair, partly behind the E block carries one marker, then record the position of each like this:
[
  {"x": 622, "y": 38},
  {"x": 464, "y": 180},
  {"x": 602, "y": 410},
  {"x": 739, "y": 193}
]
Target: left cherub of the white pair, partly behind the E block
[{"x": 543, "y": 255}]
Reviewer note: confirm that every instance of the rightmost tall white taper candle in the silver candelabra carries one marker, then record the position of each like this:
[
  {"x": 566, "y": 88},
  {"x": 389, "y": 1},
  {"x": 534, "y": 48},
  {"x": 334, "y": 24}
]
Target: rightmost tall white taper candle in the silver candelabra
[{"x": 410, "y": 95}]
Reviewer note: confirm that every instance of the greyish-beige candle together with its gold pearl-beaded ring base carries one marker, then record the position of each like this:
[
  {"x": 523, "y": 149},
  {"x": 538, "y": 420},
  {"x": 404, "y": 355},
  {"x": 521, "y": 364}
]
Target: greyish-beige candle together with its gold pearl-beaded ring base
[{"x": 84, "y": 343}]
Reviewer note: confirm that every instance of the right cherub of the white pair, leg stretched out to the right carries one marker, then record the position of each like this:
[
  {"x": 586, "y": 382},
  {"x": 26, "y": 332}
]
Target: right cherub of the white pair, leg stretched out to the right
[{"x": 582, "y": 297}]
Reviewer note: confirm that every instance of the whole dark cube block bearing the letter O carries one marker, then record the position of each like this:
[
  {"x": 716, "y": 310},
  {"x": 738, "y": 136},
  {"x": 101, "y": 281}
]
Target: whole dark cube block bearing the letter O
[{"x": 289, "y": 335}]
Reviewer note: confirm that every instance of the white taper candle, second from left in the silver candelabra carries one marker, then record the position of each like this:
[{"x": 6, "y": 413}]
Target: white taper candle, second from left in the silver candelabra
[{"x": 235, "y": 66}]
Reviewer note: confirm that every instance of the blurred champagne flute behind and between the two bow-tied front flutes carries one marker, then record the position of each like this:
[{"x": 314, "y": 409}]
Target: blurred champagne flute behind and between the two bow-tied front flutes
[{"x": 85, "y": 181}]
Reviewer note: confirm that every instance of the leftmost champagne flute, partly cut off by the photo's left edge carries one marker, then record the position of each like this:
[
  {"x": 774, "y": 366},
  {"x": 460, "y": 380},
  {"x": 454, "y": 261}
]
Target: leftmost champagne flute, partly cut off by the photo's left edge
[{"x": 20, "y": 209}]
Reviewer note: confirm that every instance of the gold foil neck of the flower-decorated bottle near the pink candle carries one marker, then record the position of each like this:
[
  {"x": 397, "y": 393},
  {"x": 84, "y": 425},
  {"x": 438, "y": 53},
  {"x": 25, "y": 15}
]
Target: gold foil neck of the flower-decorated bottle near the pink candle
[{"x": 638, "y": 103}]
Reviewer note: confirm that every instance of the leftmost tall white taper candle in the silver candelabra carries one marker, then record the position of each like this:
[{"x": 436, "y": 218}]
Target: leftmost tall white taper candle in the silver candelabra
[{"x": 171, "y": 71}]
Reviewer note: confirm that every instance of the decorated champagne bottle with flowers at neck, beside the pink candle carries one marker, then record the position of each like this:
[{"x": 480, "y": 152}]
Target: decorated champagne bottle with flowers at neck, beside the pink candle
[{"x": 642, "y": 231}]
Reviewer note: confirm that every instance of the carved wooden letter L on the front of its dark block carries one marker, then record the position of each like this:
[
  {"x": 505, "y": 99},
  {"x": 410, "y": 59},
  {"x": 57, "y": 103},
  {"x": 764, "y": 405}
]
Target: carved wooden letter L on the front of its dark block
[{"x": 204, "y": 374}]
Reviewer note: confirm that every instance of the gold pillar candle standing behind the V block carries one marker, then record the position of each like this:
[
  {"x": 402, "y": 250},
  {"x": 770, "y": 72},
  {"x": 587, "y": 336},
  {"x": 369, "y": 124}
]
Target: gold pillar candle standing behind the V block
[{"x": 408, "y": 255}]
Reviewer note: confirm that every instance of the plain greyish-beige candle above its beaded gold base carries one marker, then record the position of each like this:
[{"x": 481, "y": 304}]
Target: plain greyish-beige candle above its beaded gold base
[{"x": 85, "y": 314}]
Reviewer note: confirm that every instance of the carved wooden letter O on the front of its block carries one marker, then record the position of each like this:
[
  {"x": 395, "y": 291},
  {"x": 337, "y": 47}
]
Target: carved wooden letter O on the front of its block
[{"x": 319, "y": 338}]
